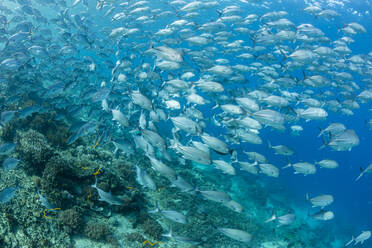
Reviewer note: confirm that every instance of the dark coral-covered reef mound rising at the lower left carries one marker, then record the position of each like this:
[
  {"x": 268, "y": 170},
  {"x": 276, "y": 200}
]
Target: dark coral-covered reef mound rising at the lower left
[{"x": 55, "y": 190}]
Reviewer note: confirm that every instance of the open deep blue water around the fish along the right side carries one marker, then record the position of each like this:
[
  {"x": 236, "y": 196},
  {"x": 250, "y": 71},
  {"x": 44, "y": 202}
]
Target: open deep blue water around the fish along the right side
[{"x": 353, "y": 200}]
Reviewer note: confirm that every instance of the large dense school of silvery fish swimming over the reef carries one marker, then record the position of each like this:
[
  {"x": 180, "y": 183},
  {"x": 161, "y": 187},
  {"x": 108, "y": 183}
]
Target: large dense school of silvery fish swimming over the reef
[{"x": 161, "y": 79}]
